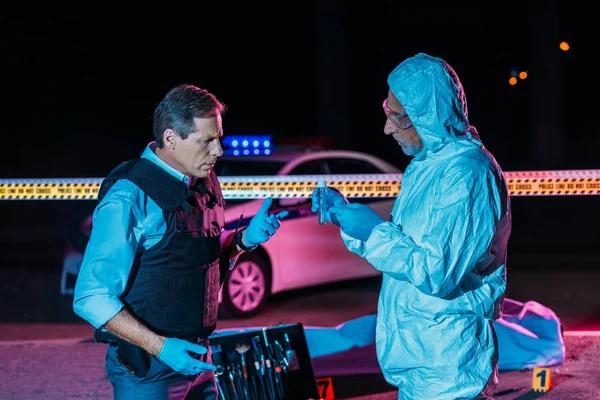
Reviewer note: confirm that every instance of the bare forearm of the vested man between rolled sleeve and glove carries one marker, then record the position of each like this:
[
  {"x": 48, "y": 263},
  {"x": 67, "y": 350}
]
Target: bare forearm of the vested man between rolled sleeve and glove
[{"x": 125, "y": 326}]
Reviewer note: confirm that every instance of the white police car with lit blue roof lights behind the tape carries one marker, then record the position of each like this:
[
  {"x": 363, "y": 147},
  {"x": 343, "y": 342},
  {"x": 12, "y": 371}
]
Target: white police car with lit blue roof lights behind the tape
[{"x": 302, "y": 253}]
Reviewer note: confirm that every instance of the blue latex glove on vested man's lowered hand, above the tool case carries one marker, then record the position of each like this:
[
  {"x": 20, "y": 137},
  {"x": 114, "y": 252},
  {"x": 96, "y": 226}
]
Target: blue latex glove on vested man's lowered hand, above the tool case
[{"x": 175, "y": 354}]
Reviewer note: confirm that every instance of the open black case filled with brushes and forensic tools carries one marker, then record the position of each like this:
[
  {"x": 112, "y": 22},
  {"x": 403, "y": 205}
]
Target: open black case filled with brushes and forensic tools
[{"x": 269, "y": 363}]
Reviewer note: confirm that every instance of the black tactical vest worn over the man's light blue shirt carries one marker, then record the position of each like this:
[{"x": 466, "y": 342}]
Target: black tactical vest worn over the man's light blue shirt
[{"x": 173, "y": 286}]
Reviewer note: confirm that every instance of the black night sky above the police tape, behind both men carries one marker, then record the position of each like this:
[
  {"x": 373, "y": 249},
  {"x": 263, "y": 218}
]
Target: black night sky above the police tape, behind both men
[{"x": 81, "y": 80}]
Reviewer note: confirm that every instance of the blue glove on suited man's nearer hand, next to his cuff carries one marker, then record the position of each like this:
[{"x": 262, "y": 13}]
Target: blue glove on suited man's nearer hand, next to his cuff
[{"x": 356, "y": 220}]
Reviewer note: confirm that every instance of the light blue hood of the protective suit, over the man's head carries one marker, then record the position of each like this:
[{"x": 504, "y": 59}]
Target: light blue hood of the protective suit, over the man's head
[{"x": 434, "y": 99}]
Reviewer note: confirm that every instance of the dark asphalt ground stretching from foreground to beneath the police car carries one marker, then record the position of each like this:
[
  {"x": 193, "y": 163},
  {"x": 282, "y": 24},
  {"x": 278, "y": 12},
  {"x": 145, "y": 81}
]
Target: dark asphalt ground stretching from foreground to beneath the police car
[{"x": 45, "y": 351}]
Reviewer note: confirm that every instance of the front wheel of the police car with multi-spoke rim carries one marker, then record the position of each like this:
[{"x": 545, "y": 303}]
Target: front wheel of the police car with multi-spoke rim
[{"x": 247, "y": 287}]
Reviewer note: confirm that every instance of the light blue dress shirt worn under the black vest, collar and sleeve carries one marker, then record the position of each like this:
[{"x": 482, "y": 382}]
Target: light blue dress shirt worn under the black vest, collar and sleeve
[{"x": 125, "y": 222}]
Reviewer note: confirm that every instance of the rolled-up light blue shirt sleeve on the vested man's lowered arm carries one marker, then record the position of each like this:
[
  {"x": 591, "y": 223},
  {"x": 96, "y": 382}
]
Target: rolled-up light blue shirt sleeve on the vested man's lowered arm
[{"x": 108, "y": 260}]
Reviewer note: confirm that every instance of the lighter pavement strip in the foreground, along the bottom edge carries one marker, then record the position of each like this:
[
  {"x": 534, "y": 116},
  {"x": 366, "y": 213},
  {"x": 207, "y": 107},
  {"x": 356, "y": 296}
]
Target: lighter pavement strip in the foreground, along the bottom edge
[{"x": 69, "y": 370}]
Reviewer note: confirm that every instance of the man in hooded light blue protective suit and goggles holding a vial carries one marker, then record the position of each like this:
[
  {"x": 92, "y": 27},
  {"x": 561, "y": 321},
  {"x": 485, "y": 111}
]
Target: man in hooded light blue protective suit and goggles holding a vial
[{"x": 443, "y": 252}]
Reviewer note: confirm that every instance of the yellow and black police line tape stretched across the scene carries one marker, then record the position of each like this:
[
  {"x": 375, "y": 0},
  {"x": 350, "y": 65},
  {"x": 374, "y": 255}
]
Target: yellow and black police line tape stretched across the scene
[{"x": 520, "y": 183}]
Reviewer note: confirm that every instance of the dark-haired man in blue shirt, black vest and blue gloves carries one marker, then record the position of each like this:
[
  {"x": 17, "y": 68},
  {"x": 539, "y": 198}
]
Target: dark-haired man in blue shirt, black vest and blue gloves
[{"x": 154, "y": 263}]
